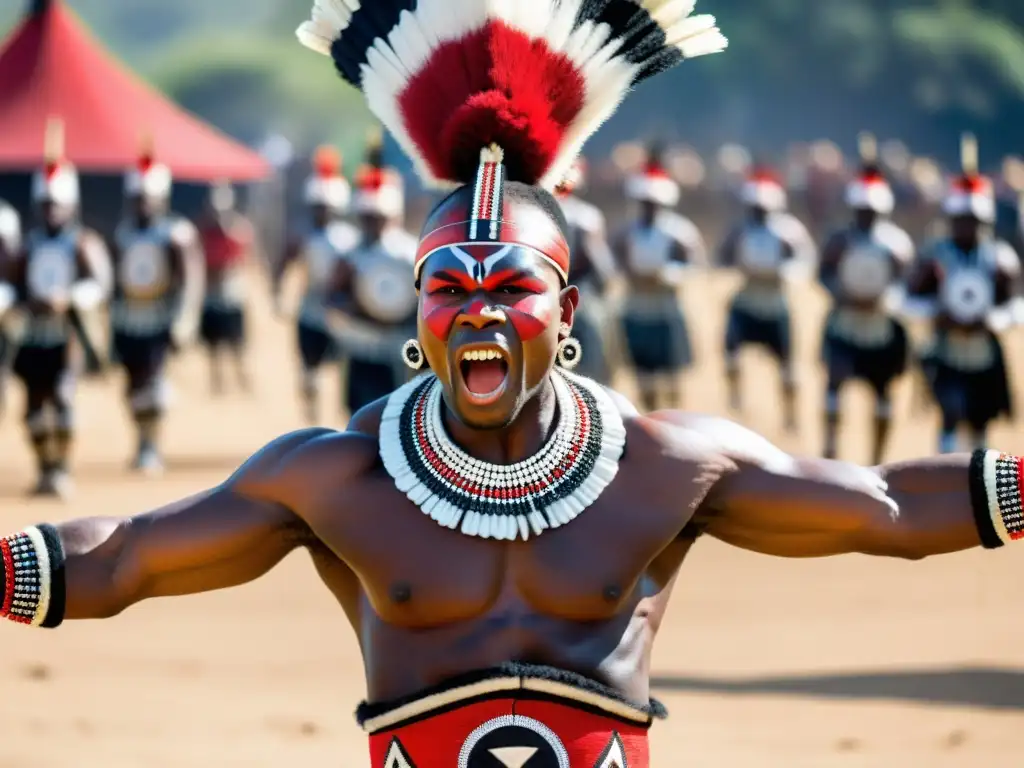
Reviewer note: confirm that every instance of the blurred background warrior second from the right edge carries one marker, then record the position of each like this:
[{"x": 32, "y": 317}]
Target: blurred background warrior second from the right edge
[{"x": 864, "y": 268}]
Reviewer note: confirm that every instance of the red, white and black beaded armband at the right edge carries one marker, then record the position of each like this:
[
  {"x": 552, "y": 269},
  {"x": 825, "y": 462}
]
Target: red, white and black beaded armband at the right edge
[{"x": 996, "y": 496}]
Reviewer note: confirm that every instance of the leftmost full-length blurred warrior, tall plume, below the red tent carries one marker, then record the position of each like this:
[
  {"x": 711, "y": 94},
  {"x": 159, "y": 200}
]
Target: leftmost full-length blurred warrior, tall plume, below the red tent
[{"x": 59, "y": 272}]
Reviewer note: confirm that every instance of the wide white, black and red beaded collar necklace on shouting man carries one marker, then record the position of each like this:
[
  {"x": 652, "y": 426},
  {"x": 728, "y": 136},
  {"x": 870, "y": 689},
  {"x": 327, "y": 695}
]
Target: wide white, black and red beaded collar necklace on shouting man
[{"x": 503, "y": 501}]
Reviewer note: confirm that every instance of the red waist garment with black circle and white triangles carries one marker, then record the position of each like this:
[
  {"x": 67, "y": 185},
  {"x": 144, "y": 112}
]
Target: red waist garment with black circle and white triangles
[{"x": 516, "y": 715}]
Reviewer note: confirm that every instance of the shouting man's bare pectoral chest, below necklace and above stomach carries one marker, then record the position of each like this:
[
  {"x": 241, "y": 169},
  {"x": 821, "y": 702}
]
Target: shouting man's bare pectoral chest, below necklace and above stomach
[{"x": 417, "y": 574}]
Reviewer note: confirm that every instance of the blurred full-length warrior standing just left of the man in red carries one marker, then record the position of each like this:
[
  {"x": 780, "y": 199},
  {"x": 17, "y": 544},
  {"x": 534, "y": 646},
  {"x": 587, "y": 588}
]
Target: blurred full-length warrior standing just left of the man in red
[{"x": 158, "y": 297}]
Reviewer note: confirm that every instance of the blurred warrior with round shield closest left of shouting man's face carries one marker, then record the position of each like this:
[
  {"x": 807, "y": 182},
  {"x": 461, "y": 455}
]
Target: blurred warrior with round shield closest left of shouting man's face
[{"x": 373, "y": 294}]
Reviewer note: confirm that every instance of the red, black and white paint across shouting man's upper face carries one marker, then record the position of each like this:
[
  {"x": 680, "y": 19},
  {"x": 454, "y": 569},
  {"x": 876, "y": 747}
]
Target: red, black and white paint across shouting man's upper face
[{"x": 508, "y": 275}]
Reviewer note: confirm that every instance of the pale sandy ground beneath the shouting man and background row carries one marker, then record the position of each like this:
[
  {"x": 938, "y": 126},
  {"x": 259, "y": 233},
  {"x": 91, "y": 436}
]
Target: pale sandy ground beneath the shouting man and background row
[{"x": 763, "y": 663}]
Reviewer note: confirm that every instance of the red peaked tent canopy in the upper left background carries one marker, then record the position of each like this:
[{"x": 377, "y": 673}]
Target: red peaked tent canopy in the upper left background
[{"x": 51, "y": 67}]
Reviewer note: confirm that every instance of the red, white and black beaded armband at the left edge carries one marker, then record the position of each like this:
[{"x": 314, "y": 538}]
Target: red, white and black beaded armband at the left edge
[{"x": 32, "y": 578}]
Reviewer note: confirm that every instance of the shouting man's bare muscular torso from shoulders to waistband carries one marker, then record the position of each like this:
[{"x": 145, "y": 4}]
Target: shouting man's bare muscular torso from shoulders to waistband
[{"x": 429, "y": 604}]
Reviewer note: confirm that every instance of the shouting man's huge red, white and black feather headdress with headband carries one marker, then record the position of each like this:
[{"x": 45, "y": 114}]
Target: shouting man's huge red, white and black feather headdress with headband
[{"x": 483, "y": 94}]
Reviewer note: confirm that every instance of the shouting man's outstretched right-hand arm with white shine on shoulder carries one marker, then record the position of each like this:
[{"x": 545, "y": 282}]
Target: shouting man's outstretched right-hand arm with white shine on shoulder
[{"x": 767, "y": 501}]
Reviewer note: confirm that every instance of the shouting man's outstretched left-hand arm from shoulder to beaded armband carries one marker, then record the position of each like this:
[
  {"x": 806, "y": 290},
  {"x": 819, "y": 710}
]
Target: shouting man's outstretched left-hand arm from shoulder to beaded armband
[{"x": 97, "y": 568}]
